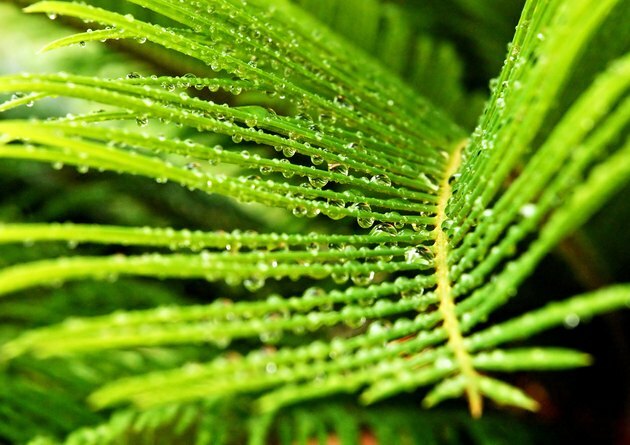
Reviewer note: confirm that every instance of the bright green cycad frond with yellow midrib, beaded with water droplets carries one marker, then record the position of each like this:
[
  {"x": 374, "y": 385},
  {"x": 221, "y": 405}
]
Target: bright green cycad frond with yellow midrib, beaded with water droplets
[{"x": 435, "y": 230}]
